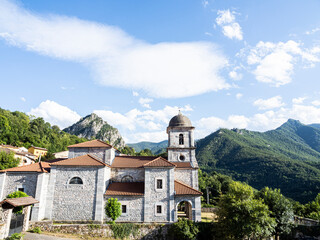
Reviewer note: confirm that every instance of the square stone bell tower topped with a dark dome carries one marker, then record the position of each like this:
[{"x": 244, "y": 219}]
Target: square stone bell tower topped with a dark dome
[{"x": 181, "y": 146}]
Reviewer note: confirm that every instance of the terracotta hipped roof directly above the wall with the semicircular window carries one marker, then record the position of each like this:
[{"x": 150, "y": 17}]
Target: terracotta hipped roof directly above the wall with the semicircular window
[{"x": 85, "y": 160}]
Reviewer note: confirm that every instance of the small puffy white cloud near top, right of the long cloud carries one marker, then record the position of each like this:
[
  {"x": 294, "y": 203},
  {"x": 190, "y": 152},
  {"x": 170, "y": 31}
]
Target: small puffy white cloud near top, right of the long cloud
[{"x": 230, "y": 27}]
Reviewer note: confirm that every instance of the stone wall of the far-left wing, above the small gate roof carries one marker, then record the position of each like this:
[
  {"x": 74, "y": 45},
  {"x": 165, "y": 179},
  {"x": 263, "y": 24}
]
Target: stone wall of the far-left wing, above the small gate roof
[{"x": 26, "y": 180}]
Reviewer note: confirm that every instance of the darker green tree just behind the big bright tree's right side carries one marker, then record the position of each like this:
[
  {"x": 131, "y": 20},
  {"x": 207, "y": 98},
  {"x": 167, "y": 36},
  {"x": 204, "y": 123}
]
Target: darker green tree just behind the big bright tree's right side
[{"x": 281, "y": 209}]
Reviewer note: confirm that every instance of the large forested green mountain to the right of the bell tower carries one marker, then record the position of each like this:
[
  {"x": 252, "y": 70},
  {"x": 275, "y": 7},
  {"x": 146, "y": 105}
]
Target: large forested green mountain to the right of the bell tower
[{"x": 287, "y": 158}]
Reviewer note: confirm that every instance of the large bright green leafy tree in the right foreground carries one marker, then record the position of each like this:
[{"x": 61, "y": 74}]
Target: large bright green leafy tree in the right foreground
[{"x": 240, "y": 215}]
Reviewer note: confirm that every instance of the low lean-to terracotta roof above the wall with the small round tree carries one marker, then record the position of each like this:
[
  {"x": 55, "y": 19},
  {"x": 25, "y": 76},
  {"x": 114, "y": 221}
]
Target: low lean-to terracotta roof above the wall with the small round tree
[{"x": 125, "y": 189}]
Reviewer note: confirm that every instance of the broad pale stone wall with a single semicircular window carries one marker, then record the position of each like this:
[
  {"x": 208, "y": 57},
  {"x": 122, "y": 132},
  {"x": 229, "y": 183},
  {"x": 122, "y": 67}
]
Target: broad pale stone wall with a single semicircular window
[{"x": 71, "y": 201}]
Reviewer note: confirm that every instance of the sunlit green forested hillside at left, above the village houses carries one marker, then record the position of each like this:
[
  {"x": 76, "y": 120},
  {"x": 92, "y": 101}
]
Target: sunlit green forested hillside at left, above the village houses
[{"x": 18, "y": 129}]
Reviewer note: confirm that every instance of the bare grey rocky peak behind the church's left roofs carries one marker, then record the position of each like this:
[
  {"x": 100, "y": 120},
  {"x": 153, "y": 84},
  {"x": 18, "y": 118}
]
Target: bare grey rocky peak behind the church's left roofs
[{"x": 92, "y": 126}]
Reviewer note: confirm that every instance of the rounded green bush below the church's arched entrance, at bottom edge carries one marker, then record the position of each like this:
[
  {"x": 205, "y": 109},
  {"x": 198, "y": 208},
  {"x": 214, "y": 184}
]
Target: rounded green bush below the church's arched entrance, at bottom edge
[{"x": 183, "y": 230}]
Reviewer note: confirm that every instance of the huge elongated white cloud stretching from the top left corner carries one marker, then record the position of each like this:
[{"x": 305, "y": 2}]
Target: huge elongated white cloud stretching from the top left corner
[{"x": 116, "y": 58}]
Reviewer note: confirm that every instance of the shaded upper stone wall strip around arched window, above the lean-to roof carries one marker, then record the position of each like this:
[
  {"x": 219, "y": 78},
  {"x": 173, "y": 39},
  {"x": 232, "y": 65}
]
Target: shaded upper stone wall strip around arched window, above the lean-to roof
[{"x": 118, "y": 173}]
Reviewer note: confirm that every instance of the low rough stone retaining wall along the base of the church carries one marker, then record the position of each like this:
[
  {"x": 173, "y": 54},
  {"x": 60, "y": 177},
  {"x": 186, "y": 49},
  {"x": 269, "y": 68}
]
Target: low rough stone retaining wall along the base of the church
[{"x": 146, "y": 231}]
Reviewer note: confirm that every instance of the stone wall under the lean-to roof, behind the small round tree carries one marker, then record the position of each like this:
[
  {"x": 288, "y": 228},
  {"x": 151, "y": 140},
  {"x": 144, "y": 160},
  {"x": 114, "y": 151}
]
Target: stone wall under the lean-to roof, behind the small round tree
[{"x": 135, "y": 209}]
